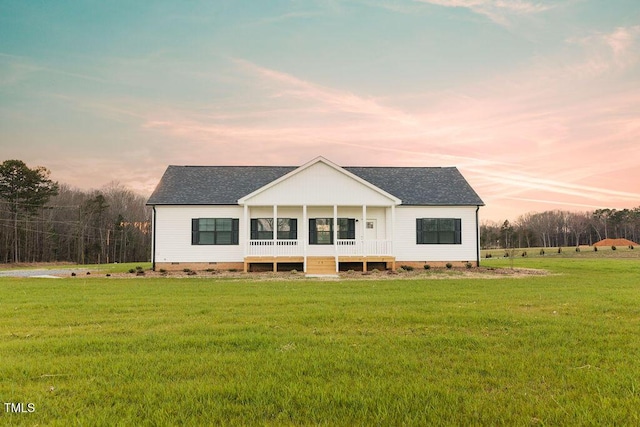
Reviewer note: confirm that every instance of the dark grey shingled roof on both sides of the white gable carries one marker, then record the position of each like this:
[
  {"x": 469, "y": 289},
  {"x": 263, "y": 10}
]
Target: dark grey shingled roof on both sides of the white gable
[{"x": 224, "y": 185}]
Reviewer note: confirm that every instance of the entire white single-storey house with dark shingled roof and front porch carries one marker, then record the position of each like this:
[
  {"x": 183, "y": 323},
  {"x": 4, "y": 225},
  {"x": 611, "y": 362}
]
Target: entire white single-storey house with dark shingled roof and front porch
[{"x": 318, "y": 218}]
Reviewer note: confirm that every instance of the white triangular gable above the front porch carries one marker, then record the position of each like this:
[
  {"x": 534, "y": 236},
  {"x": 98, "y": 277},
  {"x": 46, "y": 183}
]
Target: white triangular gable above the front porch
[{"x": 320, "y": 183}]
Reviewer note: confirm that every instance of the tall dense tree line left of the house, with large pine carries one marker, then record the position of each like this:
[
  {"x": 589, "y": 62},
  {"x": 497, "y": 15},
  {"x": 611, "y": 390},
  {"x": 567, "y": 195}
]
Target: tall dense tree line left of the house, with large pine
[{"x": 44, "y": 221}]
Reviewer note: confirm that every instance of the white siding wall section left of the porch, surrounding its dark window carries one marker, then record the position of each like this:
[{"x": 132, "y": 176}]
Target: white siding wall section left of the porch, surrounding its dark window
[{"x": 173, "y": 234}]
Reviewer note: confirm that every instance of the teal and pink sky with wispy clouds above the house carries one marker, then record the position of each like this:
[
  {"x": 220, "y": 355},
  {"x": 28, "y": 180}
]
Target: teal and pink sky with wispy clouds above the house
[{"x": 536, "y": 102}]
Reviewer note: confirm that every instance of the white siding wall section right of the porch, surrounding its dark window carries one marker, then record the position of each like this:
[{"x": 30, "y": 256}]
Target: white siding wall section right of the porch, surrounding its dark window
[{"x": 405, "y": 245}]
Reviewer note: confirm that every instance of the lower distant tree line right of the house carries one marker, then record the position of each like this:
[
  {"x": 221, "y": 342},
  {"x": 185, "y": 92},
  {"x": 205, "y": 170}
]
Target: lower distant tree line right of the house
[{"x": 561, "y": 228}]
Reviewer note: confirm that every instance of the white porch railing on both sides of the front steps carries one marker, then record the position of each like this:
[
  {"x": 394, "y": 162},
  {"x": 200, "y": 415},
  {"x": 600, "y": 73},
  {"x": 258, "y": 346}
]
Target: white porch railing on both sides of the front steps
[{"x": 344, "y": 247}]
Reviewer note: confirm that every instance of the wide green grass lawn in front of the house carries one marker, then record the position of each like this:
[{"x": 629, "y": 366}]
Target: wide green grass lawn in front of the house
[{"x": 560, "y": 349}]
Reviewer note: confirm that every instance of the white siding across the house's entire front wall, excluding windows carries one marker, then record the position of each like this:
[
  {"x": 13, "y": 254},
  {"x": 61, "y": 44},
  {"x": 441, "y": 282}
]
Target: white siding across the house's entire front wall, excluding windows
[{"x": 173, "y": 231}]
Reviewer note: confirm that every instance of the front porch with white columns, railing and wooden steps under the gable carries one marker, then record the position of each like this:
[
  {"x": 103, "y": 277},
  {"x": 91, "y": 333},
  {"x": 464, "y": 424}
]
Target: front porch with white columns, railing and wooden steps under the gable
[{"x": 319, "y": 239}]
